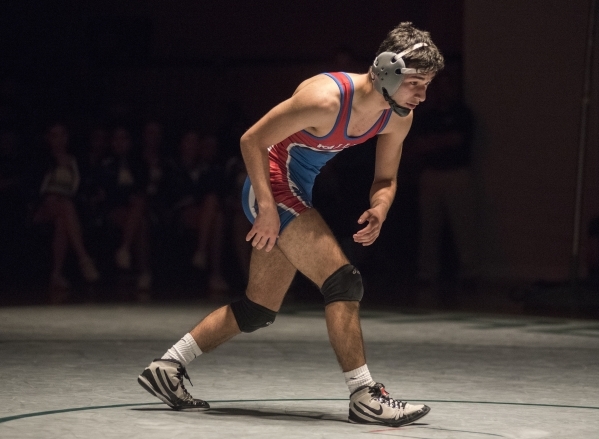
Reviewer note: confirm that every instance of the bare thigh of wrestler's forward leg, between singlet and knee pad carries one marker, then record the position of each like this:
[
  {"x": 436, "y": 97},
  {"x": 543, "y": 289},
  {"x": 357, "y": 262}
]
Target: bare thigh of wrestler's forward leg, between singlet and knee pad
[{"x": 311, "y": 247}]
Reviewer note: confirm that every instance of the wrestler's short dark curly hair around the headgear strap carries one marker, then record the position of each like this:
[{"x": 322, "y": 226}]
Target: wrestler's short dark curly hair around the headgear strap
[{"x": 404, "y": 35}]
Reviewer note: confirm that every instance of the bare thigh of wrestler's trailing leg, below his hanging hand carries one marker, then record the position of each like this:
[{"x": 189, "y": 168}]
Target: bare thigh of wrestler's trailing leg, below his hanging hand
[{"x": 270, "y": 276}]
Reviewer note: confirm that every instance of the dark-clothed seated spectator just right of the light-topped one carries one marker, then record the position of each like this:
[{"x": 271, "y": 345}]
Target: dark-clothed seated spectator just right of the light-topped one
[{"x": 122, "y": 184}]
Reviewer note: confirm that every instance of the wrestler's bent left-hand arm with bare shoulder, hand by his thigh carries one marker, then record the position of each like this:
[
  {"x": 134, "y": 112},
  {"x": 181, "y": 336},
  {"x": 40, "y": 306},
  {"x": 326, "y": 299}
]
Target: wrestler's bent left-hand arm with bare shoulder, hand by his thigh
[{"x": 314, "y": 106}]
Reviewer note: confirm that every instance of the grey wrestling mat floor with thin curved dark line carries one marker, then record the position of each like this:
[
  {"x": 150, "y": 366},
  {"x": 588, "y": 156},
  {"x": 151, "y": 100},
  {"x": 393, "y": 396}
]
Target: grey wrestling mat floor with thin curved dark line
[{"x": 70, "y": 372}]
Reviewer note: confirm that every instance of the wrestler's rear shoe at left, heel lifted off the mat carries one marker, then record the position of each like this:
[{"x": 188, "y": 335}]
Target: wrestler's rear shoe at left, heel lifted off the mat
[{"x": 164, "y": 379}]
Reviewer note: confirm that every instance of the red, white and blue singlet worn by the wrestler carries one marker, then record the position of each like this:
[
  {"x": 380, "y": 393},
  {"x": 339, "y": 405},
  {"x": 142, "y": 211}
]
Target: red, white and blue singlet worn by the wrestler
[{"x": 296, "y": 161}]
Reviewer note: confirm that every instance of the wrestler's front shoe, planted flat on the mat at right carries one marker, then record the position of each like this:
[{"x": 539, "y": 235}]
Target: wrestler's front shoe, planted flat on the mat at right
[{"x": 373, "y": 405}]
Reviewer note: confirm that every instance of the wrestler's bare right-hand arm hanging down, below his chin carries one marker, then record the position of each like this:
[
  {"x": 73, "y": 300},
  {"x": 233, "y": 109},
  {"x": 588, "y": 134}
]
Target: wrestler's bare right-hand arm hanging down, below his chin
[{"x": 382, "y": 192}]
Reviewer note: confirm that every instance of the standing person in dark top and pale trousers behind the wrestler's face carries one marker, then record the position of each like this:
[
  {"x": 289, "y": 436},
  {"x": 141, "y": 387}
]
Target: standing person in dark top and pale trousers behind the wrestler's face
[{"x": 442, "y": 134}]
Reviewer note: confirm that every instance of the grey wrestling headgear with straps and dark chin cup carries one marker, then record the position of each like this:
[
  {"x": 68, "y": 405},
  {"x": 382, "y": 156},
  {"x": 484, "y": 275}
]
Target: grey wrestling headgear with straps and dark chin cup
[{"x": 388, "y": 72}]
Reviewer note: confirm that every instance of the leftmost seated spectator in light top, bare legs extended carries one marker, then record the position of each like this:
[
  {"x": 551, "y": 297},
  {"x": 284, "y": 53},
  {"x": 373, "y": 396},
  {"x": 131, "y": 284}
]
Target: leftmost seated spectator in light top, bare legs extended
[{"x": 58, "y": 189}]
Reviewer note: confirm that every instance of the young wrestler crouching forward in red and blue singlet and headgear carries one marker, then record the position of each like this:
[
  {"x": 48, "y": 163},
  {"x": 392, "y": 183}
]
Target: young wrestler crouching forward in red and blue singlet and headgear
[{"x": 283, "y": 153}]
